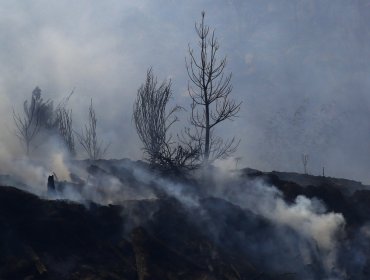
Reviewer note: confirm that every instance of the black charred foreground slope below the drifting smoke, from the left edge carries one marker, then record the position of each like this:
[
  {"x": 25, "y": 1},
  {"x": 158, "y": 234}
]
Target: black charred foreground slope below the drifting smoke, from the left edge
[{"x": 43, "y": 239}]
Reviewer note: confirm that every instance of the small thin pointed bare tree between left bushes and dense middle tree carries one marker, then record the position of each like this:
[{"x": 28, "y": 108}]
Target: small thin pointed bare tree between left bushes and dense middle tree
[{"x": 89, "y": 139}]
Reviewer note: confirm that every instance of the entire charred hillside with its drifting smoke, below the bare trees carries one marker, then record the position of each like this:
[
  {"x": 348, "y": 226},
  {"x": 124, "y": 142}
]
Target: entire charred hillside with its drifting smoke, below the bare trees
[{"x": 250, "y": 225}]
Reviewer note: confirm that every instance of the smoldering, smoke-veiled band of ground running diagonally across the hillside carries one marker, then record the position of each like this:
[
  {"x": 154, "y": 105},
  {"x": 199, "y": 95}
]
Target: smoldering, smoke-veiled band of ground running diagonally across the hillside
[{"x": 248, "y": 216}]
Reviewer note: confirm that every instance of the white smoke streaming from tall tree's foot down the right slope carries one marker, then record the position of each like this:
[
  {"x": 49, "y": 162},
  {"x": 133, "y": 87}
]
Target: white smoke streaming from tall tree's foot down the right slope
[{"x": 306, "y": 216}]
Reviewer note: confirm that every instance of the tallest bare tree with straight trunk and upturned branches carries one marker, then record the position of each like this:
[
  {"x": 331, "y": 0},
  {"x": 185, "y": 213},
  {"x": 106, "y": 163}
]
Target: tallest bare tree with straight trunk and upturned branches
[{"x": 210, "y": 94}]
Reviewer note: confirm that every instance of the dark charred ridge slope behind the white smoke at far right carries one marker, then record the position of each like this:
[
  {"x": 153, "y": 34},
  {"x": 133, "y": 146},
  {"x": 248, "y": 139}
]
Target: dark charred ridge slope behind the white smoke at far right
[{"x": 344, "y": 196}]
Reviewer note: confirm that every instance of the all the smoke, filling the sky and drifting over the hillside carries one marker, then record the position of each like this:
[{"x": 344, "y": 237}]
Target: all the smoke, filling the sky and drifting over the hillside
[{"x": 298, "y": 67}]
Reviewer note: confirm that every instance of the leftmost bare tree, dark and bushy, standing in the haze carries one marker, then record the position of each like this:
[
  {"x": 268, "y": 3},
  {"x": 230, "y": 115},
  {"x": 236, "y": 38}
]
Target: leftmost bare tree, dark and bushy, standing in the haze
[{"x": 35, "y": 116}]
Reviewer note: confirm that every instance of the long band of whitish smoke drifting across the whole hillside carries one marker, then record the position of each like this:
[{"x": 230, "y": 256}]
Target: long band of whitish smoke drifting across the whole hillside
[{"x": 307, "y": 217}]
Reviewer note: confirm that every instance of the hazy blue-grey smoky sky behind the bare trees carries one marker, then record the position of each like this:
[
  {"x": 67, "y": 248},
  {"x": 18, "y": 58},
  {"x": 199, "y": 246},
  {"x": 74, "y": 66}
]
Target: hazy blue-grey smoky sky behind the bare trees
[{"x": 300, "y": 67}]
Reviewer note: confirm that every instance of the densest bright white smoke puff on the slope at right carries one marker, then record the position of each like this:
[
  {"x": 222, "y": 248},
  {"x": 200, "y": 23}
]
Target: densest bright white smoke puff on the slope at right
[{"x": 308, "y": 216}]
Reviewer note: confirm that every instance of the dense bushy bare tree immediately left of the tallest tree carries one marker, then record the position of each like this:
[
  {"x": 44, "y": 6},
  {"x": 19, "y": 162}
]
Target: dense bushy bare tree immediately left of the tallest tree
[{"x": 153, "y": 121}]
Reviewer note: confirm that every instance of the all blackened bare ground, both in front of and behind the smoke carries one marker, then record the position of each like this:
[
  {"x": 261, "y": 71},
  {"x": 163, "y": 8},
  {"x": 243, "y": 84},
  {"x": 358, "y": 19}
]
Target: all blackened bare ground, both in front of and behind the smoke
[{"x": 163, "y": 239}]
